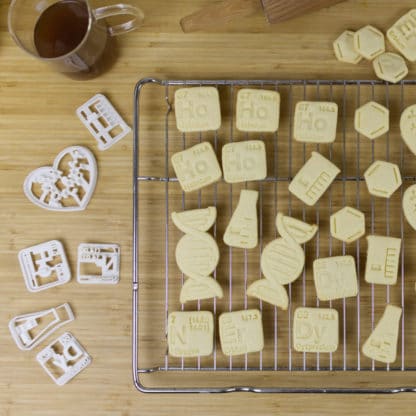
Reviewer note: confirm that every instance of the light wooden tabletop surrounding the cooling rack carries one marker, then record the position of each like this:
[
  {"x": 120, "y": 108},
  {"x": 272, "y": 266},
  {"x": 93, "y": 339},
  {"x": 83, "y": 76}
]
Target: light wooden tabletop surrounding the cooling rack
[{"x": 37, "y": 120}]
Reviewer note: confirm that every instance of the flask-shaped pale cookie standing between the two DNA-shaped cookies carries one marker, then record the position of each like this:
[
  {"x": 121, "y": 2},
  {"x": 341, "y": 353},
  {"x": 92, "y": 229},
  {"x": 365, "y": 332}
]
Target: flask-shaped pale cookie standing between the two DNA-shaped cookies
[{"x": 242, "y": 230}]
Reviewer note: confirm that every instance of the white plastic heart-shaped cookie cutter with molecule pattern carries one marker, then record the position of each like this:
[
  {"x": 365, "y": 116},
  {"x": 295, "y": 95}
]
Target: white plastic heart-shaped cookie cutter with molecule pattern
[{"x": 68, "y": 185}]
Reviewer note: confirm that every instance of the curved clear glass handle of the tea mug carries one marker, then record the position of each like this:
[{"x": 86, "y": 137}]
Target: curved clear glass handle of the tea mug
[{"x": 117, "y": 10}]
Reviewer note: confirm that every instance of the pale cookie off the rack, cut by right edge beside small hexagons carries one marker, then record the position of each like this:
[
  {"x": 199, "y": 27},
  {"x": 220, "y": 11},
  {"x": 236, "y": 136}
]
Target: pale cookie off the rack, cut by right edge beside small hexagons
[{"x": 402, "y": 35}]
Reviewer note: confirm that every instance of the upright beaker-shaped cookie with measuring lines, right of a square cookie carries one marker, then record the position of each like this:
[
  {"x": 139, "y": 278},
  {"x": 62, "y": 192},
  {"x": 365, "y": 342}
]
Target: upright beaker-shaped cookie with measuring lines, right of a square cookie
[{"x": 383, "y": 255}]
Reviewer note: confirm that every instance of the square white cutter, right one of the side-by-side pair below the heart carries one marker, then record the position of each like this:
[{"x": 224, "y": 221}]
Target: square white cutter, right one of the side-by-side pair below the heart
[{"x": 98, "y": 263}]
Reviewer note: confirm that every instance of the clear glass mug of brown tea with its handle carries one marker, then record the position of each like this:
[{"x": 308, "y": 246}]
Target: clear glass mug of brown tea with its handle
[{"x": 69, "y": 34}]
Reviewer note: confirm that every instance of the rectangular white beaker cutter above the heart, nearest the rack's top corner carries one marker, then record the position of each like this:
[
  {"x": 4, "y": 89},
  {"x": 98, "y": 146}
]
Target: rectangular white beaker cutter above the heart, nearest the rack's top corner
[{"x": 102, "y": 121}]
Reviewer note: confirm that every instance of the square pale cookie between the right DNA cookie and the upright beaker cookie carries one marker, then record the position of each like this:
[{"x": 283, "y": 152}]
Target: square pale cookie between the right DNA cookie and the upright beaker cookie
[{"x": 335, "y": 277}]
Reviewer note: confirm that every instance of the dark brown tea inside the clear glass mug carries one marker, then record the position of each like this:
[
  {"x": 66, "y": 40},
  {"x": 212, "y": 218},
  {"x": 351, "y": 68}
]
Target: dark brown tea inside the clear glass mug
[{"x": 62, "y": 28}]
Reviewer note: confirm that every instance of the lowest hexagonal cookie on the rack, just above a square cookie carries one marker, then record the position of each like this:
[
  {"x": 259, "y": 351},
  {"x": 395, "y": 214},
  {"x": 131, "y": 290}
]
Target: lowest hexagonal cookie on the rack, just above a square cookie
[{"x": 347, "y": 224}]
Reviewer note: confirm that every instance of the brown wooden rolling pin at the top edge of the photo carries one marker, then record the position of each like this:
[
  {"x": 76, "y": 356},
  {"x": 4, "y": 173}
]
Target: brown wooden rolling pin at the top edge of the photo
[{"x": 228, "y": 10}]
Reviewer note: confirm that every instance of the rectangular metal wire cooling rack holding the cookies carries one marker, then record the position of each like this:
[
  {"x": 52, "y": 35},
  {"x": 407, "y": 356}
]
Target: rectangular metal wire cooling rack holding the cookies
[{"x": 157, "y": 193}]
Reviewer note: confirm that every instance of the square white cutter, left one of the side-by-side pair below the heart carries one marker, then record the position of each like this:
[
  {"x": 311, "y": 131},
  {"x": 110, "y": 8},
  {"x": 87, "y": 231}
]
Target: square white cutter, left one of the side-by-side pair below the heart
[{"x": 44, "y": 266}]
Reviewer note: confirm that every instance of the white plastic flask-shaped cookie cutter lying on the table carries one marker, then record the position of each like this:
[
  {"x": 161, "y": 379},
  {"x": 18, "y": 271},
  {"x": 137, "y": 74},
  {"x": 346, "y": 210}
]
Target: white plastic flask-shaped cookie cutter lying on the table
[{"x": 32, "y": 328}]
